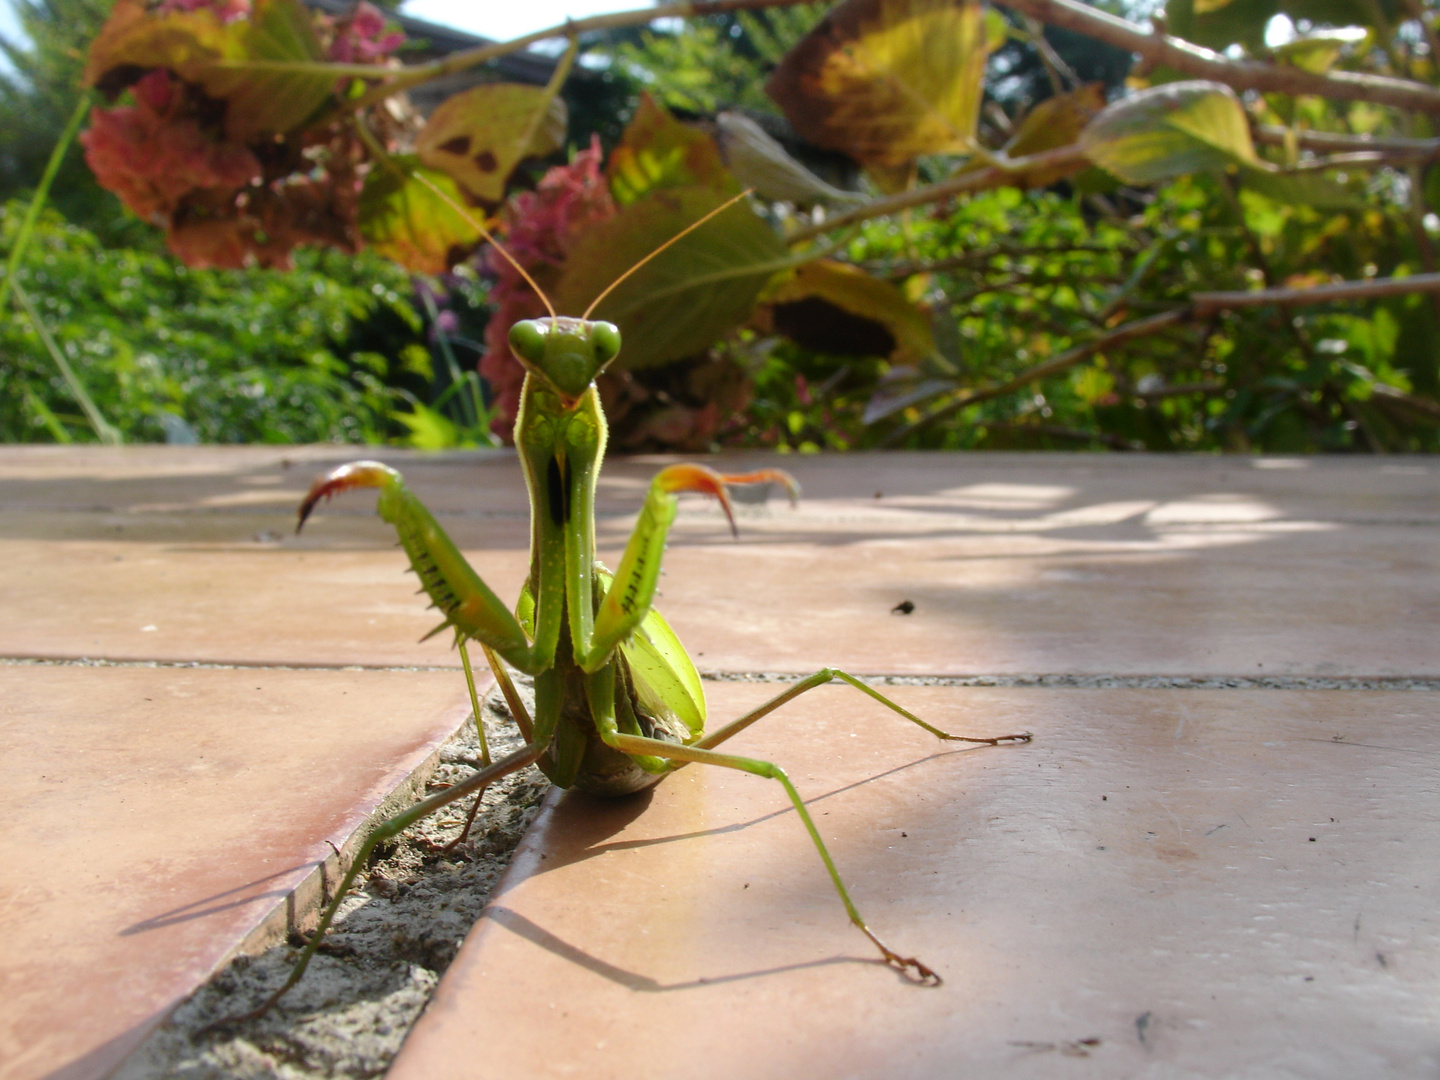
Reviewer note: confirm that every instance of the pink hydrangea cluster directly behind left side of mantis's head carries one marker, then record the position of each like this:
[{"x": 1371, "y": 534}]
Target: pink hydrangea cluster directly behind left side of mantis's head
[{"x": 541, "y": 228}]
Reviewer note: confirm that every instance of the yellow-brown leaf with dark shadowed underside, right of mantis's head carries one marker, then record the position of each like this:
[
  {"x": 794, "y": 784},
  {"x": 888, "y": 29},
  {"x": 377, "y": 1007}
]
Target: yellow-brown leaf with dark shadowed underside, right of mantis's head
[{"x": 837, "y": 309}]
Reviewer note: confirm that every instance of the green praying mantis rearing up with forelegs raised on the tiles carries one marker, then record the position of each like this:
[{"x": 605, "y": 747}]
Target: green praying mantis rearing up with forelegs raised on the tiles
[{"x": 618, "y": 705}]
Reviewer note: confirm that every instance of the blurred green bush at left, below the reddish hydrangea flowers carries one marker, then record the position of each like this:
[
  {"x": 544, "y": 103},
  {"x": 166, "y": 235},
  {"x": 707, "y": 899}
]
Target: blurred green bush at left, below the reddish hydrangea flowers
[{"x": 225, "y": 356}]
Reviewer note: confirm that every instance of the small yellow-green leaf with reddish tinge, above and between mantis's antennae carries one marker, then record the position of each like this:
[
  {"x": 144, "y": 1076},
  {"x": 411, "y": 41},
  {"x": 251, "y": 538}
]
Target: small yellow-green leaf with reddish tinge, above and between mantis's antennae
[{"x": 659, "y": 152}]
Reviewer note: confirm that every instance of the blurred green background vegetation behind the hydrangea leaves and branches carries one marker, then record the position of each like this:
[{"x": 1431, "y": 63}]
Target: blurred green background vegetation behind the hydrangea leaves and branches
[{"x": 352, "y": 348}]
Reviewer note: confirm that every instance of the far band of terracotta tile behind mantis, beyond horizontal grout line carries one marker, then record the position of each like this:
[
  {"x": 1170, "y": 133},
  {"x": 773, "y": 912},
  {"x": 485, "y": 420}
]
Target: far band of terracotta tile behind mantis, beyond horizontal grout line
[{"x": 1016, "y": 564}]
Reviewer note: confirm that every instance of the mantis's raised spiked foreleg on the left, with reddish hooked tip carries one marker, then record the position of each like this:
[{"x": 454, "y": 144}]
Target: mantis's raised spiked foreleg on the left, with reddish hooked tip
[{"x": 454, "y": 588}]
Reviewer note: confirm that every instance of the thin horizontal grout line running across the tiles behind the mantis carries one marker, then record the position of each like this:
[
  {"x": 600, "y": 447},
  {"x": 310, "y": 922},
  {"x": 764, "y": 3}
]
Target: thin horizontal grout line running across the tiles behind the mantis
[{"x": 1040, "y": 680}]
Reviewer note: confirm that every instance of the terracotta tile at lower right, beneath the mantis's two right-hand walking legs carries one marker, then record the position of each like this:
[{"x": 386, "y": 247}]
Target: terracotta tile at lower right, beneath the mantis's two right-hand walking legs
[{"x": 1166, "y": 883}]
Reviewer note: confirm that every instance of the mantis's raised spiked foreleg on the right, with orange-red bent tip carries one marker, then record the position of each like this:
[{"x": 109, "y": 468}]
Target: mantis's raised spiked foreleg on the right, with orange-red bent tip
[{"x": 633, "y": 591}]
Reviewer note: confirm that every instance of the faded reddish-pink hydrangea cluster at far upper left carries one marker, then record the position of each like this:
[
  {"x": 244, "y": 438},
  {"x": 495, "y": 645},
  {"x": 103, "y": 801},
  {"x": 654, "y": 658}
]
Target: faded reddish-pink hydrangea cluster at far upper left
[{"x": 152, "y": 156}]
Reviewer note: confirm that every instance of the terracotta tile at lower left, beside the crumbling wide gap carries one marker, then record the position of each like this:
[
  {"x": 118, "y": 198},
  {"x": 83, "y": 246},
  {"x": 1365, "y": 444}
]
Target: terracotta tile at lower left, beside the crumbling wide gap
[{"x": 159, "y": 817}]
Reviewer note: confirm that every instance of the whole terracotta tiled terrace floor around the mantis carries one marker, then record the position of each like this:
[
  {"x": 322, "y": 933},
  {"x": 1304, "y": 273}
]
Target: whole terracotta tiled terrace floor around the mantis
[{"x": 1144, "y": 875}]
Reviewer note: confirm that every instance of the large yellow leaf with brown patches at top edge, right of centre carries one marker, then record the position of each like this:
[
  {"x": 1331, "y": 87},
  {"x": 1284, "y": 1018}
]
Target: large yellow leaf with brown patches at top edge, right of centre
[{"x": 888, "y": 80}]
